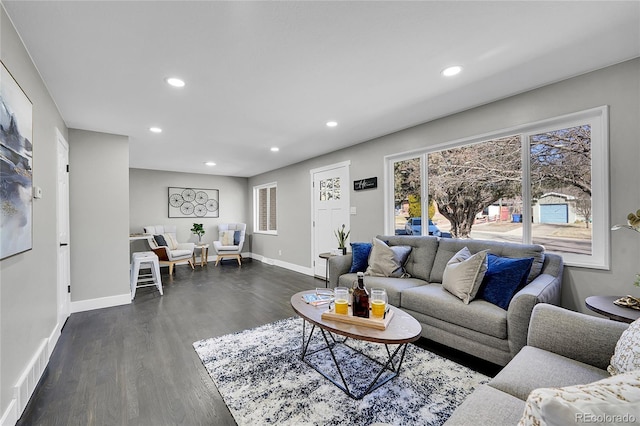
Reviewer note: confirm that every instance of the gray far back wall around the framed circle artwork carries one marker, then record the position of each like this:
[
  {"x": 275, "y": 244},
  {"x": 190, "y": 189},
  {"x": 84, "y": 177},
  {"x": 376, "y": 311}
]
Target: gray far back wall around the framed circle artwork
[{"x": 148, "y": 198}]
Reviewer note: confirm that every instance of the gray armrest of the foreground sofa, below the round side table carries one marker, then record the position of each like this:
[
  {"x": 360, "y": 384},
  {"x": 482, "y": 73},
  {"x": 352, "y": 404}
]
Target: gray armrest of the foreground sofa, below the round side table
[{"x": 574, "y": 335}]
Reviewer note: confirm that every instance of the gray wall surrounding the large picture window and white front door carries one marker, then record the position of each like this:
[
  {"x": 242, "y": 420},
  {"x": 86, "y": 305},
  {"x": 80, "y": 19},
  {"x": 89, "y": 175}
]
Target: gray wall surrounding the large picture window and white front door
[{"x": 617, "y": 86}]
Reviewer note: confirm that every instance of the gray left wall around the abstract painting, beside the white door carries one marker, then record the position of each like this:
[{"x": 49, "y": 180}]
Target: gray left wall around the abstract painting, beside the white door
[{"x": 28, "y": 280}]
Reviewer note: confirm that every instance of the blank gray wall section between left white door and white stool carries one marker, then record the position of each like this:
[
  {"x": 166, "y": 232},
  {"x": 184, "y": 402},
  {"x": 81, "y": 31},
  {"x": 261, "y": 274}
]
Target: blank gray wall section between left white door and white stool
[{"x": 99, "y": 214}]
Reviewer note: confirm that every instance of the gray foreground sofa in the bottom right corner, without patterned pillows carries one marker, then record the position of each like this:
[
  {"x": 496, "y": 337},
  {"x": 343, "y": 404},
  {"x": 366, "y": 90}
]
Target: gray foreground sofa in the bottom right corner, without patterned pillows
[{"x": 564, "y": 348}]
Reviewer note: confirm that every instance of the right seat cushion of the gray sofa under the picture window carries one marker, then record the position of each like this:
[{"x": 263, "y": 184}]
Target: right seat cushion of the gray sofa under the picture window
[{"x": 436, "y": 302}]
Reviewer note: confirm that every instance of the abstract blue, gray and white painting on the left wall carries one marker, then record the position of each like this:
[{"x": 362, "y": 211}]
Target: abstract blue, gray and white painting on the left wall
[{"x": 16, "y": 174}]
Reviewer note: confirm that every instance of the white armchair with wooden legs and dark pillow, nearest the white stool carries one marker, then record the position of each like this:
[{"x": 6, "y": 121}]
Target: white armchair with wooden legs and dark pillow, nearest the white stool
[{"x": 169, "y": 251}]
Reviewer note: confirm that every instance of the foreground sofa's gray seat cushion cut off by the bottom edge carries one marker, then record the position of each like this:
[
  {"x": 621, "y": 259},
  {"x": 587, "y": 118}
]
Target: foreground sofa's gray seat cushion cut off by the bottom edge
[{"x": 487, "y": 406}]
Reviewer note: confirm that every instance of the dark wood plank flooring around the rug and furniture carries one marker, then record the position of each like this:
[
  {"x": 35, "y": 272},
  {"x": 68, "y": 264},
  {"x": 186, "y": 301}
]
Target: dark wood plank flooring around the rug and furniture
[{"x": 134, "y": 364}]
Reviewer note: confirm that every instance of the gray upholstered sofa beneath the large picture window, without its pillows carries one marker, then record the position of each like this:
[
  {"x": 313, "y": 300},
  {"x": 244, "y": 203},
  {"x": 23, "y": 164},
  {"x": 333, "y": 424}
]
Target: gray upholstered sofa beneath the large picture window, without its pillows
[{"x": 479, "y": 328}]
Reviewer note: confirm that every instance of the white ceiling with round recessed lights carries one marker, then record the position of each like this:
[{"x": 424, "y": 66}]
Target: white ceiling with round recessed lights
[{"x": 263, "y": 74}]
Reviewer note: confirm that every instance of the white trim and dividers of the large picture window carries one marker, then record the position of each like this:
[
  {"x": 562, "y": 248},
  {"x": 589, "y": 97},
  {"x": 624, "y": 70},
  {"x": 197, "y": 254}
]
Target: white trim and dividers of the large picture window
[{"x": 597, "y": 117}]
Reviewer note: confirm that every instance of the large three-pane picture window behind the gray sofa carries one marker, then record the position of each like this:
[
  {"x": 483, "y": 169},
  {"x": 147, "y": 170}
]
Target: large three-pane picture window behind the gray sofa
[{"x": 543, "y": 183}]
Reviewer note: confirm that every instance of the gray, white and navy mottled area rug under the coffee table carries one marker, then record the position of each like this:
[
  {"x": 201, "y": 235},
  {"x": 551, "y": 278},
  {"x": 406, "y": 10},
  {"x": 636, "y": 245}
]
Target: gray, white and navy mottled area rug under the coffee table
[{"x": 263, "y": 381}]
